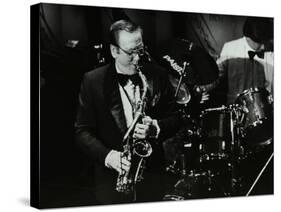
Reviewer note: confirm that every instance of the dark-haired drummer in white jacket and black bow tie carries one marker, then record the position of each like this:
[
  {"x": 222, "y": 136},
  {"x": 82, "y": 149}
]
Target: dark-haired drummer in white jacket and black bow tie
[{"x": 247, "y": 62}]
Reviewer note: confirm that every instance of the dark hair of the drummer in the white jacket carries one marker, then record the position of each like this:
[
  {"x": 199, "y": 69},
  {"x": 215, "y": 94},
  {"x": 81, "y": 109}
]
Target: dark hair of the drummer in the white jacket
[{"x": 258, "y": 29}]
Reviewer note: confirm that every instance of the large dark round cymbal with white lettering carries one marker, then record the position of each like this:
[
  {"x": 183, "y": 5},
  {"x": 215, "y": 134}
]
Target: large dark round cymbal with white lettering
[{"x": 202, "y": 68}]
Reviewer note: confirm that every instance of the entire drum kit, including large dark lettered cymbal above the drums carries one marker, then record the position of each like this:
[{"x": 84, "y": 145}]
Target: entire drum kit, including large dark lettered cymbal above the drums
[{"x": 219, "y": 143}]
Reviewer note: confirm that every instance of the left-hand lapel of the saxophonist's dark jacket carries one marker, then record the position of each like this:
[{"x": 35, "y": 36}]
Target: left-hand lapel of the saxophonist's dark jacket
[{"x": 114, "y": 101}]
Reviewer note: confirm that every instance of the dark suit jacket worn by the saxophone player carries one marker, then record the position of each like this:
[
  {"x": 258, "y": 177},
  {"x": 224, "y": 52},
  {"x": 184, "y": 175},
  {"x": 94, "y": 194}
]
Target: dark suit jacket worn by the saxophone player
[{"x": 101, "y": 124}]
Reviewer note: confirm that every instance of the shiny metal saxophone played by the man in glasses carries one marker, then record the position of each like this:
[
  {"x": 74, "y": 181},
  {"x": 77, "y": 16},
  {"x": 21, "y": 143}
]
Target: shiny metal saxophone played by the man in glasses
[{"x": 135, "y": 150}]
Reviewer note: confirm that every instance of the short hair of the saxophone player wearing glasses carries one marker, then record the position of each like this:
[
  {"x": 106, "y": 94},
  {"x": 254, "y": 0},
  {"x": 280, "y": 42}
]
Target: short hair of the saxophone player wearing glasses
[{"x": 122, "y": 25}]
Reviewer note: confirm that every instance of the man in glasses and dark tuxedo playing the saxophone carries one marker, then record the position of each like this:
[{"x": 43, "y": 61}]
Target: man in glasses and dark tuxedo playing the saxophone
[{"x": 109, "y": 101}]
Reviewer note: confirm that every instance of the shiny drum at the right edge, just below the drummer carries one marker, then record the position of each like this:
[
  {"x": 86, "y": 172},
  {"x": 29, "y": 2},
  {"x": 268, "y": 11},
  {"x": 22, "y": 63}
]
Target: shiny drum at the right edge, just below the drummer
[{"x": 256, "y": 119}]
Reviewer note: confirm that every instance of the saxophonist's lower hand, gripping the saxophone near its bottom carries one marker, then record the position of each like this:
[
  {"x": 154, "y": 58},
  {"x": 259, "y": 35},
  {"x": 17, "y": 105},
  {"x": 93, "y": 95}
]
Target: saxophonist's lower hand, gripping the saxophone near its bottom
[{"x": 115, "y": 160}]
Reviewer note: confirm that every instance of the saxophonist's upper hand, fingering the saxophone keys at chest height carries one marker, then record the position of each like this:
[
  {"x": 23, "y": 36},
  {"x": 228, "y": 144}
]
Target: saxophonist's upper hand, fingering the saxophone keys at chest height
[{"x": 148, "y": 129}]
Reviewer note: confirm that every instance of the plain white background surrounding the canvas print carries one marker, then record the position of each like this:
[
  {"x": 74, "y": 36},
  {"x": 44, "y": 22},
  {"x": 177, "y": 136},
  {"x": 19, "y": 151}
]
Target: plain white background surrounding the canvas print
[{"x": 14, "y": 118}]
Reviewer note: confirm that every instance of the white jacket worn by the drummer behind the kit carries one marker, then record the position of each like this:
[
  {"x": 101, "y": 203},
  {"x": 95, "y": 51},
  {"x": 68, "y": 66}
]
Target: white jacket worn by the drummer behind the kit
[{"x": 243, "y": 73}]
